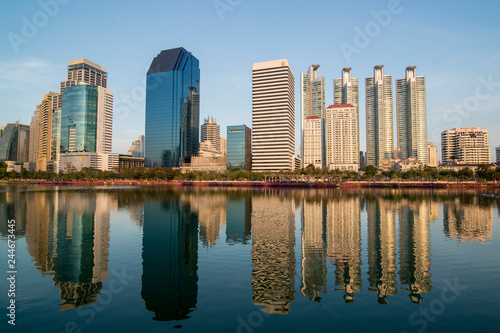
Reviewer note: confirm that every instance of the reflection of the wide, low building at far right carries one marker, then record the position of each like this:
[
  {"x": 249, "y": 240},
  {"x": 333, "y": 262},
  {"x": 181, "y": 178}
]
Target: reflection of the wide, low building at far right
[{"x": 471, "y": 222}]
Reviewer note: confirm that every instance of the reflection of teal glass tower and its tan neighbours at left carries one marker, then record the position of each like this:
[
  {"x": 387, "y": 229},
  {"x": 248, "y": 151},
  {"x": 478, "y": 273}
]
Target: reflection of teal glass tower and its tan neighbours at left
[{"x": 67, "y": 234}]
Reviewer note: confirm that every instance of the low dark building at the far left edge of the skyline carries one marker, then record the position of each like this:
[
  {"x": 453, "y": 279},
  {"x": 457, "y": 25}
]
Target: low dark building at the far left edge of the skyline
[{"x": 14, "y": 144}]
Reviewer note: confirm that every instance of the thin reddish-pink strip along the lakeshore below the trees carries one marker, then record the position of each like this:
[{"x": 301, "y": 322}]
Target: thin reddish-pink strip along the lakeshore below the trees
[{"x": 377, "y": 184}]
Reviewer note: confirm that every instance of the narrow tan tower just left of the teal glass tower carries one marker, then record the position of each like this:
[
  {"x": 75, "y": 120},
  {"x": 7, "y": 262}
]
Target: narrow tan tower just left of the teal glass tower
[{"x": 49, "y": 104}]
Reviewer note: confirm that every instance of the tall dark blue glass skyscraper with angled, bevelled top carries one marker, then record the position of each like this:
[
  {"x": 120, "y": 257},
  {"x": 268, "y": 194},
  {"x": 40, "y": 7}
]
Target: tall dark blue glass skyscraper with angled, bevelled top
[{"x": 172, "y": 109}]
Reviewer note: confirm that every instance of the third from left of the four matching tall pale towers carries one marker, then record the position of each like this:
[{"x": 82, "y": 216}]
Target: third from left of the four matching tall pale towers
[{"x": 379, "y": 127}]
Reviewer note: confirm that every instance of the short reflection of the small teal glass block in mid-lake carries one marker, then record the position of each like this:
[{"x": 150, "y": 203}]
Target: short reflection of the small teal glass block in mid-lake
[{"x": 239, "y": 218}]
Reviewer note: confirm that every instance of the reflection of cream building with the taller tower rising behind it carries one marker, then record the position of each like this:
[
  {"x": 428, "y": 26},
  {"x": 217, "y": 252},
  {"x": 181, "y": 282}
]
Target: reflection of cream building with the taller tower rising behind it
[{"x": 344, "y": 243}]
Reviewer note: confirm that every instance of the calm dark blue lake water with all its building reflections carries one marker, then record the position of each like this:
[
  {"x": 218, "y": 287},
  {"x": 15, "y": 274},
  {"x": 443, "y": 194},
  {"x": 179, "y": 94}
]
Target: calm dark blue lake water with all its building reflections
[{"x": 229, "y": 260}]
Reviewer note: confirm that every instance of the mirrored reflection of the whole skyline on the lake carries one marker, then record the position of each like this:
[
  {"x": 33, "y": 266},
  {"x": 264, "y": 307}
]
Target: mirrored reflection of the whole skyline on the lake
[{"x": 68, "y": 236}]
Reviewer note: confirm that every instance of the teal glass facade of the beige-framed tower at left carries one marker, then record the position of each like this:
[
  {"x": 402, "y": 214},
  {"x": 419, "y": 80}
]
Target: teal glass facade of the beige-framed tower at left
[{"x": 79, "y": 119}]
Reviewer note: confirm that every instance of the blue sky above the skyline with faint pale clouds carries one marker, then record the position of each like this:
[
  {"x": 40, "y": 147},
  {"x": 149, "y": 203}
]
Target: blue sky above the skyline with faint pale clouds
[{"x": 454, "y": 44}]
